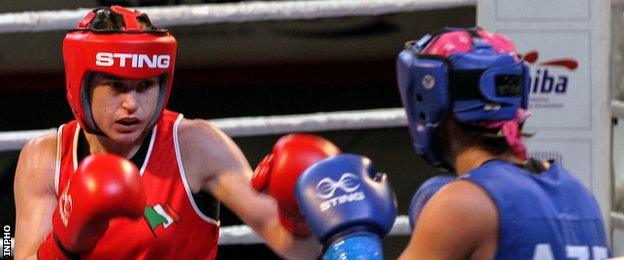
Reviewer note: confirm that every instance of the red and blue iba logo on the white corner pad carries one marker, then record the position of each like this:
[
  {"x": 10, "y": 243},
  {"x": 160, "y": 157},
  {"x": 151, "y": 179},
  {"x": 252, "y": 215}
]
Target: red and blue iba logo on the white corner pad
[{"x": 549, "y": 80}]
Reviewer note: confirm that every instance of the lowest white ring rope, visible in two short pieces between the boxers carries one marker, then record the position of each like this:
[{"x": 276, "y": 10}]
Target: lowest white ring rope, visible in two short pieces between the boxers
[{"x": 244, "y": 235}]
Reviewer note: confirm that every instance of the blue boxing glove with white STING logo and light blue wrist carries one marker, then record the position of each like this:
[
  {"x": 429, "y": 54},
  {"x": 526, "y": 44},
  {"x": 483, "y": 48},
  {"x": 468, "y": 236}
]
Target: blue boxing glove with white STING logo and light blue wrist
[{"x": 349, "y": 207}]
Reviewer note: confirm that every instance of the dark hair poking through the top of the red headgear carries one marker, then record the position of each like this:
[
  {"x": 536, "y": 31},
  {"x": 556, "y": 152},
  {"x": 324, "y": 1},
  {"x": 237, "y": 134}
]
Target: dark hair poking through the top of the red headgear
[{"x": 107, "y": 20}]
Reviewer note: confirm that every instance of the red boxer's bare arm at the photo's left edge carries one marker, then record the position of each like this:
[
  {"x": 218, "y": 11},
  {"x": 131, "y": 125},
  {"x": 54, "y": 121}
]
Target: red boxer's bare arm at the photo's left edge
[{"x": 35, "y": 198}]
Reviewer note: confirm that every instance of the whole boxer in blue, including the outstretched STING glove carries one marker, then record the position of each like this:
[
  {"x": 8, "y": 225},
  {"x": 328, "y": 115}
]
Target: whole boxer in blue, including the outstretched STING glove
[{"x": 465, "y": 92}]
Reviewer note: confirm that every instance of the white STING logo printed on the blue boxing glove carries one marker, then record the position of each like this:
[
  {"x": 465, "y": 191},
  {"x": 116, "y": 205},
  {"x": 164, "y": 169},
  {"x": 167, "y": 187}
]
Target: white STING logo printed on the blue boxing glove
[{"x": 348, "y": 183}]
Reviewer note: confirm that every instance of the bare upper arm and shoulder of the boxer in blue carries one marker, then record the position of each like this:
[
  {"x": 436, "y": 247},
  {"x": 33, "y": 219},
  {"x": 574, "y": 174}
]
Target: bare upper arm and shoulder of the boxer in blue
[{"x": 459, "y": 222}]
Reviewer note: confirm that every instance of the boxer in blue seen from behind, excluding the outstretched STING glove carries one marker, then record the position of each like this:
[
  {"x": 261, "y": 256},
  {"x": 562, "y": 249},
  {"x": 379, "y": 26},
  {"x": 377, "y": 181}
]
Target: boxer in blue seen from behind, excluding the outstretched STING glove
[{"x": 465, "y": 92}]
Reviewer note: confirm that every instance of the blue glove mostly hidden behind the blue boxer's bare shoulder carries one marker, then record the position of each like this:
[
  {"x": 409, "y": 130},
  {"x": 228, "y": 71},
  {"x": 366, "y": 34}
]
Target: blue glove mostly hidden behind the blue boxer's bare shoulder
[{"x": 424, "y": 193}]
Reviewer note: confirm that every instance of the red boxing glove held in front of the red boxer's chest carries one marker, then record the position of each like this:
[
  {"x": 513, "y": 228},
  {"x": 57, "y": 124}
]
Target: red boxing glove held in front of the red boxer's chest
[{"x": 105, "y": 186}]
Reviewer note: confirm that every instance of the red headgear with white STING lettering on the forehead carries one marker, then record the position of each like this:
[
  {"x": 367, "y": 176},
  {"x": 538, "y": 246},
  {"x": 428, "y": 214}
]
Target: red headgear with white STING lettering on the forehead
[{"x": 129, "y": 53}]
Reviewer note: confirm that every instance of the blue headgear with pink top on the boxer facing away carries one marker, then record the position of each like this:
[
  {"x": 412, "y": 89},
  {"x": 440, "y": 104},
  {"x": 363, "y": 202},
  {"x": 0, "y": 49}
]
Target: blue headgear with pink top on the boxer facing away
[{"x": 470, "y": 74}]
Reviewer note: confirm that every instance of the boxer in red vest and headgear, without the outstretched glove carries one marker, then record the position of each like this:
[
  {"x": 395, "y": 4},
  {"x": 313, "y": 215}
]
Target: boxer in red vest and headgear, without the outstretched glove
[{"x": 119, "y": 69}]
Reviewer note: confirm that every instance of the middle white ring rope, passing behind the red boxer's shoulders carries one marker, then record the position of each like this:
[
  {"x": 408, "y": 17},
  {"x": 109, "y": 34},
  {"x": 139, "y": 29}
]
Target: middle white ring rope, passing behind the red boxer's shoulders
[{"x": 256, "y": 126}]
